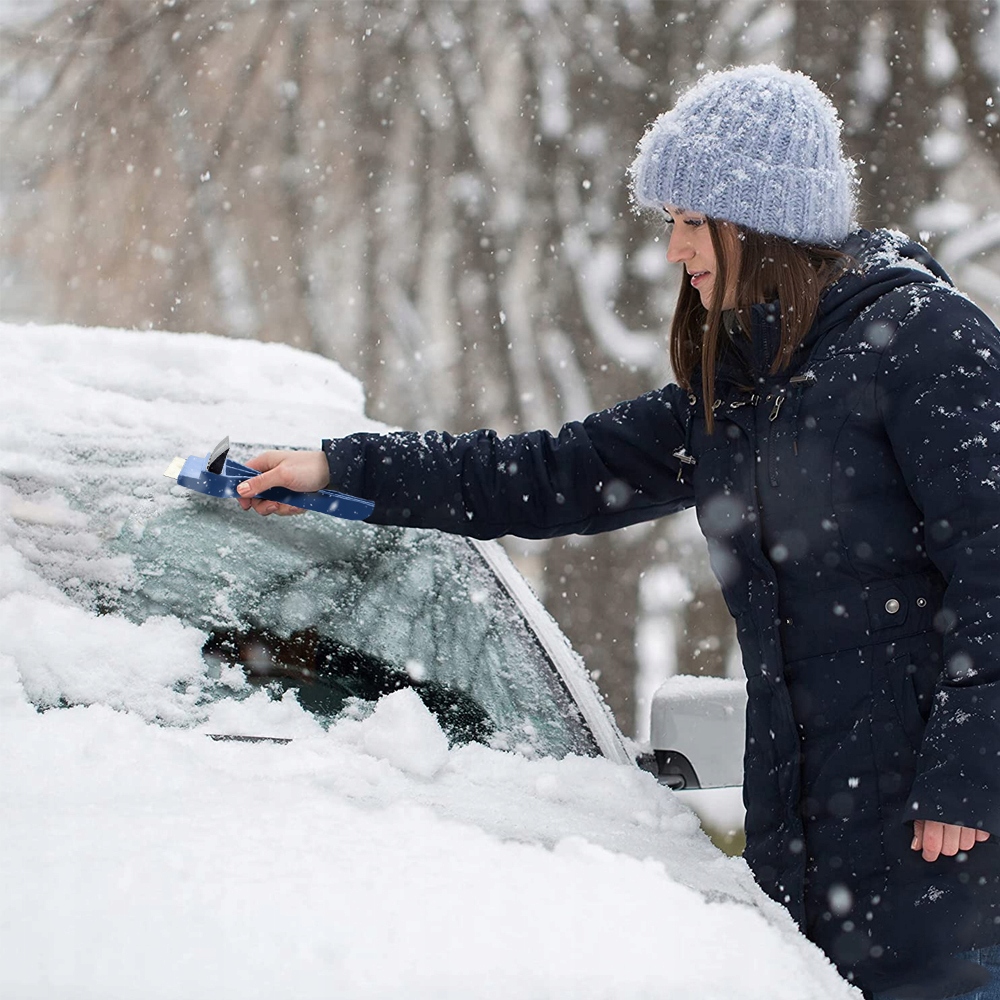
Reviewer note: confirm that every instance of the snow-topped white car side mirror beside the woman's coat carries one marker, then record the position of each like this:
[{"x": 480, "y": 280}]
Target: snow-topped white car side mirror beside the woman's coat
[{"x": 697, "y": 732}]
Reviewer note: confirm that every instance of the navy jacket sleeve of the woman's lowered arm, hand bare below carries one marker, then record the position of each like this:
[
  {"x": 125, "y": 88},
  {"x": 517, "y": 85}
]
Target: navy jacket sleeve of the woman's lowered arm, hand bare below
[{"x": 939, "y": 387}]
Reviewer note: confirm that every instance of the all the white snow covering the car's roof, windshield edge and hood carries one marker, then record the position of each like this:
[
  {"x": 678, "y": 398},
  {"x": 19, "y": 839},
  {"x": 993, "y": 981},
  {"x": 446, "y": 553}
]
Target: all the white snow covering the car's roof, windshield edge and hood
[{"x": 367, "y": 860}]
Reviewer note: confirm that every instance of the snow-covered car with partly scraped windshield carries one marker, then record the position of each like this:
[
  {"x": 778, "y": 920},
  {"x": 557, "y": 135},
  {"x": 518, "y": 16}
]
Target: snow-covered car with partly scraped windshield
[{"x": 441, "y": 805}]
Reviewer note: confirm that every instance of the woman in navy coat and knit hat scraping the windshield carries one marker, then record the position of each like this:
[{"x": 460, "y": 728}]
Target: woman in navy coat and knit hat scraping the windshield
[{"x": 837, "y": 426}]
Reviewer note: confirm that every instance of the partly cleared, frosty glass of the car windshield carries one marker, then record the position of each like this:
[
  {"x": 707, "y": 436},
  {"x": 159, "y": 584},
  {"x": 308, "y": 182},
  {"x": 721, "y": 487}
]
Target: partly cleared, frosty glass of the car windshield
[{"x": 344, "y": 612}]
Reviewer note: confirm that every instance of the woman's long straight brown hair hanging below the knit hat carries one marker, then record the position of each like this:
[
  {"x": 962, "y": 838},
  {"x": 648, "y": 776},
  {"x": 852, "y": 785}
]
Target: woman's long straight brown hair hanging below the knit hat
[{"x": 771, "y": 268}]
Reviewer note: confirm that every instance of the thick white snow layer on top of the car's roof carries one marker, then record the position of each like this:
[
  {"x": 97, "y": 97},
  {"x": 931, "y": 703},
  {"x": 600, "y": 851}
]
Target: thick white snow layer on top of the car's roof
[{"x": 174, "y": 391}]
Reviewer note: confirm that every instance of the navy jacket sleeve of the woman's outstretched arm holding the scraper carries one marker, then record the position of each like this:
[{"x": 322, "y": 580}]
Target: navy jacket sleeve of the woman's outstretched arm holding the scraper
[{"x": 615, "y": 468}]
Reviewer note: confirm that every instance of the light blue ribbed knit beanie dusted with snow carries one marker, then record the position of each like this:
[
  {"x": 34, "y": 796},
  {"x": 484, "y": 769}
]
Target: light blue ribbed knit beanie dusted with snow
[{"x": 755, "y": 145}]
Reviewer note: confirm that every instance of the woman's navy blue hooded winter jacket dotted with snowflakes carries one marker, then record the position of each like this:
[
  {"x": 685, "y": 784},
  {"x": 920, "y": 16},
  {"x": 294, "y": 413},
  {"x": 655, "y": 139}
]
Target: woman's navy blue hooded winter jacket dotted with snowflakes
[{"x": 852, "y": 510}]
